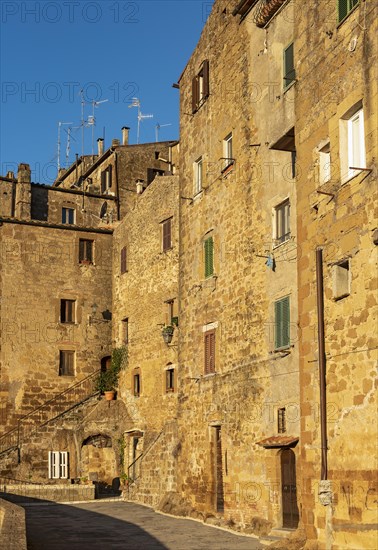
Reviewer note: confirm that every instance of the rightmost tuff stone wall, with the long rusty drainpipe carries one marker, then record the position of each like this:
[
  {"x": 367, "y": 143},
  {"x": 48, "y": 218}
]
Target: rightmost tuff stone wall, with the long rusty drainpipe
[{"x": 342, "y": 224}]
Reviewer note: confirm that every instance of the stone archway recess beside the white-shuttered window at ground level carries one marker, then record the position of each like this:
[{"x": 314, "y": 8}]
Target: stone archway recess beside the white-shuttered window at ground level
[{"x": 98, "y": 460}]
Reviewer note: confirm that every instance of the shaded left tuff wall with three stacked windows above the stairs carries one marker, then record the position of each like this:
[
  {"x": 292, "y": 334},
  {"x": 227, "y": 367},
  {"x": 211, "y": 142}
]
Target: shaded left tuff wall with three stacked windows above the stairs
[{"x": 39, "y": 267}]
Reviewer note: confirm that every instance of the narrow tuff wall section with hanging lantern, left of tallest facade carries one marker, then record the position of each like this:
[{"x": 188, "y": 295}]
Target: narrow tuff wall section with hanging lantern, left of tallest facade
[{"x": 140, "y": 295}]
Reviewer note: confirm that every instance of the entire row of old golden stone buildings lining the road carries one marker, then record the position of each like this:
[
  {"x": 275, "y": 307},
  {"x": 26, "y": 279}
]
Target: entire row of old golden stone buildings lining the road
[{"x": 237, "y": 273}]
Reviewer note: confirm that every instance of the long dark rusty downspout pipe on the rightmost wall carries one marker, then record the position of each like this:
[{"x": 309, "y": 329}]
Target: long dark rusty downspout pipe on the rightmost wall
[{"x": 322, "y": 363}]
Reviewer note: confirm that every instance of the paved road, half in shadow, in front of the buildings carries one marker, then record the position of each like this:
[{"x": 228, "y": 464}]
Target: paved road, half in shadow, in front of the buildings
[{"x": 116, "y": 525}]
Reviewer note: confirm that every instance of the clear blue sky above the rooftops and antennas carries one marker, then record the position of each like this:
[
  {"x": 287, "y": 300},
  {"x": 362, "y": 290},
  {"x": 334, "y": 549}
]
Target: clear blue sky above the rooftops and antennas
[{"x": 113, "y": 50}]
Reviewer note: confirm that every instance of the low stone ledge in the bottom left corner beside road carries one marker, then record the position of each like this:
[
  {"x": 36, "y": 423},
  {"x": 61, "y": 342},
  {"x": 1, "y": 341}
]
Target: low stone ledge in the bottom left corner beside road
[{"x": 12, "y": 526}]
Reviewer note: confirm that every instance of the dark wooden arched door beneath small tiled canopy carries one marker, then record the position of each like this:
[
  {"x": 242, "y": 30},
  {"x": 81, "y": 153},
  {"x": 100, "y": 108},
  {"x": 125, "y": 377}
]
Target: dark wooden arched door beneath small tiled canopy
[{"x": 290, "y": 512}]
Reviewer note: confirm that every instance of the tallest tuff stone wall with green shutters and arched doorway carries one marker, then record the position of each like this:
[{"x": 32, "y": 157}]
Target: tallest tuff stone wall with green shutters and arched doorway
[{"x": 237, "y": 208}]
